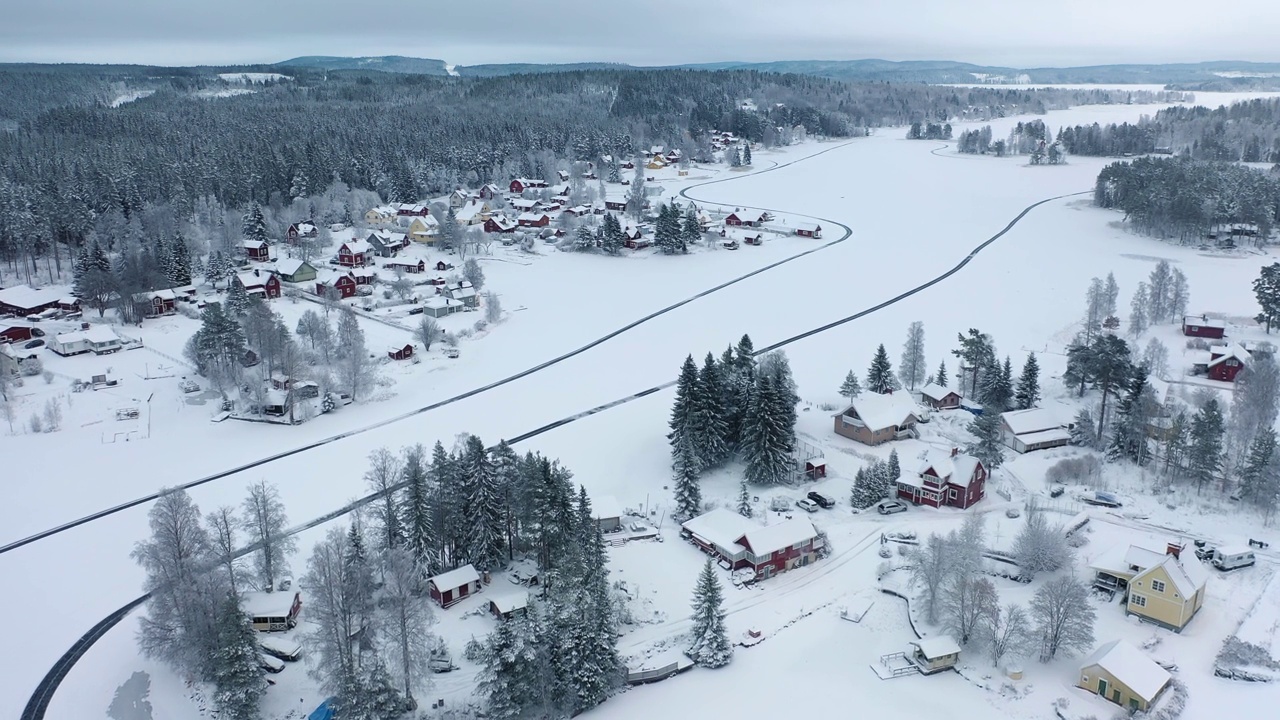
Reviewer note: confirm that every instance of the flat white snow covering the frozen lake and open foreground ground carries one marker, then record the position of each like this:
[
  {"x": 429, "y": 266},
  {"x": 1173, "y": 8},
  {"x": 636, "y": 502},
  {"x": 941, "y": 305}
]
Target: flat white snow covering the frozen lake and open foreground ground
[{"x": 916, "y": 213}]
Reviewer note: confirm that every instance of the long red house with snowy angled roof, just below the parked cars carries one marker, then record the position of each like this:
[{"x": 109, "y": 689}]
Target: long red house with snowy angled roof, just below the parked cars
[{"x": 744, "y": 544}]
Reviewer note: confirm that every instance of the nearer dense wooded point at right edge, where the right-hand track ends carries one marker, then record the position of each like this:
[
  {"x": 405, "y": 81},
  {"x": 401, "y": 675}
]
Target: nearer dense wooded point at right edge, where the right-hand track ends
[{"x": 1188, "y": 199}]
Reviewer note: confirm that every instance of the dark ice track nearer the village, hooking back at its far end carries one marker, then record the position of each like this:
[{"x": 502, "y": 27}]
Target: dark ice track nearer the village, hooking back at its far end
[{"x": 459, "y": 398}]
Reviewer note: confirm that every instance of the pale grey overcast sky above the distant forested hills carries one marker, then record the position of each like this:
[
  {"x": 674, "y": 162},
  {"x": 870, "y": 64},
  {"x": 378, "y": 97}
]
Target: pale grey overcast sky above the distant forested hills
[{"x": 646, "y": 33}]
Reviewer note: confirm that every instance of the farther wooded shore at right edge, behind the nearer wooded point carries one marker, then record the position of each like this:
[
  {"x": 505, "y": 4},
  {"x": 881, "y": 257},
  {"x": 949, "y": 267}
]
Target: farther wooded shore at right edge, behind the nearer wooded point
[{"x": 1247, "y": 131}]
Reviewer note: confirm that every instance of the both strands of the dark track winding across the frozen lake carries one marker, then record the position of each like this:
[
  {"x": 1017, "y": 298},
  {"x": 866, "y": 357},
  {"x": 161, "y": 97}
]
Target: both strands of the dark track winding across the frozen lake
[{"x": 44, "y": 692}]
